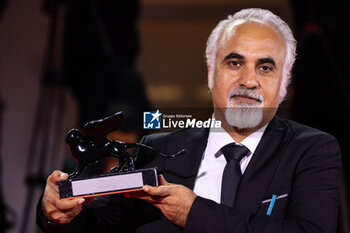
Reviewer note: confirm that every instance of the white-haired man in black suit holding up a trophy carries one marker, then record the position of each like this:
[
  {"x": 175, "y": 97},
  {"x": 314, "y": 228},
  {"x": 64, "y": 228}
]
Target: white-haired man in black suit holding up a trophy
[{"x": 290, "y": 172}]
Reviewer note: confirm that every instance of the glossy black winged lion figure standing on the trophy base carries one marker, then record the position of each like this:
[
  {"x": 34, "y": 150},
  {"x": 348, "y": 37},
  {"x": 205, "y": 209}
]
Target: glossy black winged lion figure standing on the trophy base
[{"x": 90, "y": 148}]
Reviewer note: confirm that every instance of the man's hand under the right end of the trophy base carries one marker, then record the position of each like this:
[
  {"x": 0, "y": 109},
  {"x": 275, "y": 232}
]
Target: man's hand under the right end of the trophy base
[{"x": 173, "y": 200}]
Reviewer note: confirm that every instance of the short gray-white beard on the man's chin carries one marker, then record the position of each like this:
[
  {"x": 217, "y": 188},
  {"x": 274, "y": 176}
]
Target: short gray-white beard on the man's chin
[{"x": 243, "y": 116}]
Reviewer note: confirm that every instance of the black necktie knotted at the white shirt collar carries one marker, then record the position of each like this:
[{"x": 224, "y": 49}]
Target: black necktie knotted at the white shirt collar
[{"x": 232, "y": 173}]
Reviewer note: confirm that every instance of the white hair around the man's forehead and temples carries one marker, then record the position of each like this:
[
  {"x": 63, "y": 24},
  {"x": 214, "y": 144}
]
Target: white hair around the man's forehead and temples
[{"x": 227, "y": 27}]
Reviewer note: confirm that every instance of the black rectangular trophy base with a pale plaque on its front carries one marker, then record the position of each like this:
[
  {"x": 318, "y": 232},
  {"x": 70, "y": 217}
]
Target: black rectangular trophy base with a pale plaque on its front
[{"x": 106, "y": 184}]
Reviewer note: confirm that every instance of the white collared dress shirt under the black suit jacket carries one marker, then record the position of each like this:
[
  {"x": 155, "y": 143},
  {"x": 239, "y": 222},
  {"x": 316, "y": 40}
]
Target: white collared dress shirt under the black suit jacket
[{"x": 209, "y": 177}]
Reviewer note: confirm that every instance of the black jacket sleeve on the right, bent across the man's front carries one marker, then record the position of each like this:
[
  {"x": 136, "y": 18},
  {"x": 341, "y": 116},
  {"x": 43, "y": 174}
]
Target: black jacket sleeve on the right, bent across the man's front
[{"x": 312, "y": 205}]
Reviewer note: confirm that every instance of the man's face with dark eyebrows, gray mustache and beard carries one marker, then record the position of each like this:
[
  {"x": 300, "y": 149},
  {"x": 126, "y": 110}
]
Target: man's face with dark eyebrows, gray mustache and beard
[{"x": 248, "y": 74}]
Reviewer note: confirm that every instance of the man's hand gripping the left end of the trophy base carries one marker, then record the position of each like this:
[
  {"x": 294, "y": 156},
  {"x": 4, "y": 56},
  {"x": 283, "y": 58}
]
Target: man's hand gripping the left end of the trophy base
[{"x": 60, "y": 211}]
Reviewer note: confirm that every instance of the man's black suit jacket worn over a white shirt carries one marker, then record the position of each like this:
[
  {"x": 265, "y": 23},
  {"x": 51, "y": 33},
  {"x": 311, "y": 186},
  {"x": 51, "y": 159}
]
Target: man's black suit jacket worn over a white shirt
[{"x": 299, "y": 164}]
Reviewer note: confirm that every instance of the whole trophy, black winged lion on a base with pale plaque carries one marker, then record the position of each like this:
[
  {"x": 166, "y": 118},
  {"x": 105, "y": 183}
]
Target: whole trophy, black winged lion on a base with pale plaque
[{"x": 93, "y": 146}]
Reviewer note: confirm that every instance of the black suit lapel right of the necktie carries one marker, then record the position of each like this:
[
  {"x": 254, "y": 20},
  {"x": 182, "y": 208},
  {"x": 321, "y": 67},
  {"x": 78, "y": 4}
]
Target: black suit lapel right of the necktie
[{"x": 257, "y": 176}]
